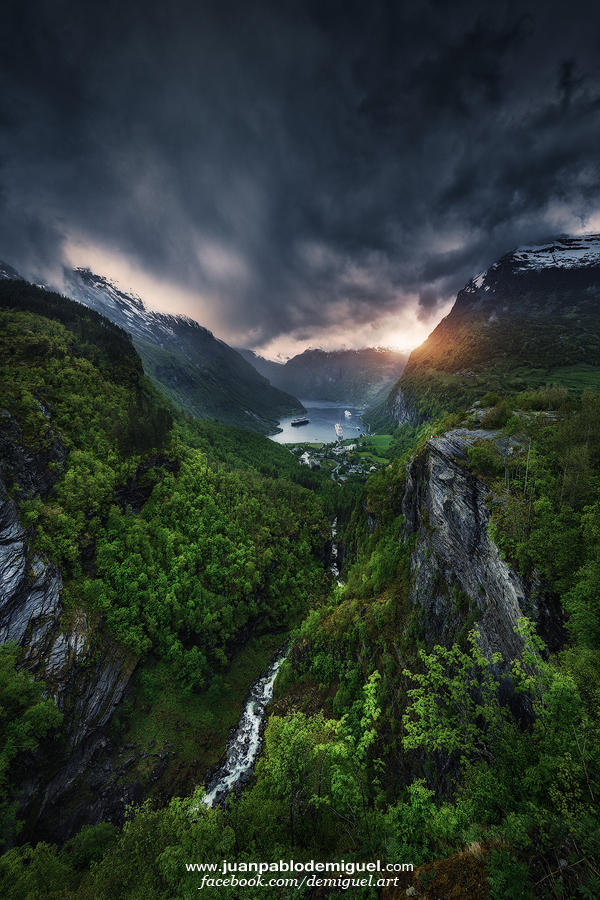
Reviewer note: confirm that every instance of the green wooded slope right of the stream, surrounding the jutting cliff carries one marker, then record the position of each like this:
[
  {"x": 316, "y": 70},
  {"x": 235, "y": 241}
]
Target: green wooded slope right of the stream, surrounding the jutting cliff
[{"x": 384, "y": 745}]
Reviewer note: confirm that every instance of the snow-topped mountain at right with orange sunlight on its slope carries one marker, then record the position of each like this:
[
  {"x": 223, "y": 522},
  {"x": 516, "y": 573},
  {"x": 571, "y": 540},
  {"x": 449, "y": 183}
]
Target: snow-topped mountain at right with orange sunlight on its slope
[{"x": 531, "y": 314}]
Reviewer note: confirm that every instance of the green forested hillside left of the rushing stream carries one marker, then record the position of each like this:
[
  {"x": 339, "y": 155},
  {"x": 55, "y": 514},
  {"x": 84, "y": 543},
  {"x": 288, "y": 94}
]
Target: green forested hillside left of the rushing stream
[{"x": 161, "y": 533}]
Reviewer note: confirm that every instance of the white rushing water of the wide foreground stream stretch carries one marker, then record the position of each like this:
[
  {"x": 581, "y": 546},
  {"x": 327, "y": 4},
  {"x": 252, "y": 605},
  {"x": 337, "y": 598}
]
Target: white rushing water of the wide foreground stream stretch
[{"x": 243, "y": 747}]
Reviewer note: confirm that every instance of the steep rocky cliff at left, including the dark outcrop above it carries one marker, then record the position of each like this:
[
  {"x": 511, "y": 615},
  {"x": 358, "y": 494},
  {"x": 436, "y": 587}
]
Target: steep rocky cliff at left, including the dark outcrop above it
[{"x": 85, "y": 672}]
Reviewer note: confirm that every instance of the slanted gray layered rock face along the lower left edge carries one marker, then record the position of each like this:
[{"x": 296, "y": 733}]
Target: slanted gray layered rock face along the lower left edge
[{"x": 85, "y": 672}]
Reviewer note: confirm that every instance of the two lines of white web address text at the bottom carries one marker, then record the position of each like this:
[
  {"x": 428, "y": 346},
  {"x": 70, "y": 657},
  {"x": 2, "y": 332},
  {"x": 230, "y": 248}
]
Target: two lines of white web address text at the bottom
[{"x": 343, "y": 874}]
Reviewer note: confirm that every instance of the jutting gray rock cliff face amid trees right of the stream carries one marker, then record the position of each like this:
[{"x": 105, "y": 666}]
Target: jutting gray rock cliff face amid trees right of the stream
[{"x": 459, "y": 576}]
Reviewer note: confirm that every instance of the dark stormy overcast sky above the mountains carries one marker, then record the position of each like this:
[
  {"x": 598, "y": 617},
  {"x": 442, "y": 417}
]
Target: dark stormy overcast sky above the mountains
[{"x": 295, "y": 173}]
